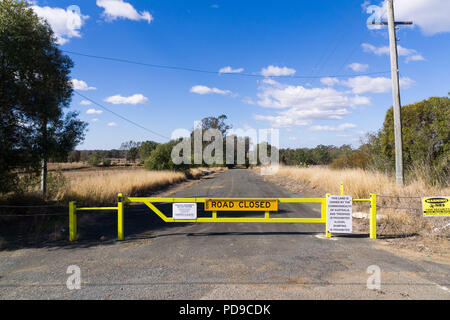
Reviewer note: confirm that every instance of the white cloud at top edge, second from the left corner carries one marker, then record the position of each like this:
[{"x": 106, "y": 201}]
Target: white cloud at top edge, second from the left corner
[{"x": 116, "y": 9}]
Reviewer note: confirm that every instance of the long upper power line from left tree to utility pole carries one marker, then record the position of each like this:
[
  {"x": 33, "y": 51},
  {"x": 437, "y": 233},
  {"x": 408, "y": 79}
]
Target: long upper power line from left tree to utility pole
[{"x": 254, "y": 75}]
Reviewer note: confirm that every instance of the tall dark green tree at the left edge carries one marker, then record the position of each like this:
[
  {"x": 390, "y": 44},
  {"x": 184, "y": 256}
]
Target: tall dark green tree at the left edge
[{"x": 35, "y": 87}]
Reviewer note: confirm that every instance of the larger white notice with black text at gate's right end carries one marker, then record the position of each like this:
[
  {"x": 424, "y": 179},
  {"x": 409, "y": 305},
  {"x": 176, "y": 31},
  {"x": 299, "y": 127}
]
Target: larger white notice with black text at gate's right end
[{"x": 340, "y": 218}]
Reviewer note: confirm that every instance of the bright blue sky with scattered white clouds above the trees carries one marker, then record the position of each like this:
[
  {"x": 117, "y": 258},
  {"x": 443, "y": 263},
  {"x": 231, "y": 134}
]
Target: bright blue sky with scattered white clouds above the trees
[{"x": 268, "y": 45}]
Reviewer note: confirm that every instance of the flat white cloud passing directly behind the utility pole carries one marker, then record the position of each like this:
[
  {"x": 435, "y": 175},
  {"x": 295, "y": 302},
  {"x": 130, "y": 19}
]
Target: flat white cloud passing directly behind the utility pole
[{"x": 365, "y": 84}]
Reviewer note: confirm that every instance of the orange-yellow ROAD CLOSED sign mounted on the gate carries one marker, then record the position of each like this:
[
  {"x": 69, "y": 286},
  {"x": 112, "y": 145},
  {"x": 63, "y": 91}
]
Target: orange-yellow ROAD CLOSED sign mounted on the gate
[{"x": 241, "y": 205}]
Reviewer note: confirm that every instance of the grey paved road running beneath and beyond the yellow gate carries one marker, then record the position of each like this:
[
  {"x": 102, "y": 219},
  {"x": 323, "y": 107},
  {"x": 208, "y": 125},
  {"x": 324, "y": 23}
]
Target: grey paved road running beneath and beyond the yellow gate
[{"x": 217, "y": 261}]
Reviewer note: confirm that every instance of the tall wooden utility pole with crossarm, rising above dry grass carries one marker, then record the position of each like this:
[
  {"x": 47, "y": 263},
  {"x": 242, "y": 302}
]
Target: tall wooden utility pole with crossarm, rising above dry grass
[{"x": 399, "y": 171}]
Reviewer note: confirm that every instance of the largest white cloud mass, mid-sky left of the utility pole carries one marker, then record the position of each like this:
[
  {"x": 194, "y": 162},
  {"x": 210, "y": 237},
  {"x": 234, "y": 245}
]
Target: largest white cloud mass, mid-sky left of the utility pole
[{"x": 303, "y": 105}]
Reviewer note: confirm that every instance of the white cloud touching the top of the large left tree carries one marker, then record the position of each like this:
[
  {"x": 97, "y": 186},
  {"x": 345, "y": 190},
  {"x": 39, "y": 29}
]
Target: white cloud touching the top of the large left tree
[{"x": 65, "y": 23}]
